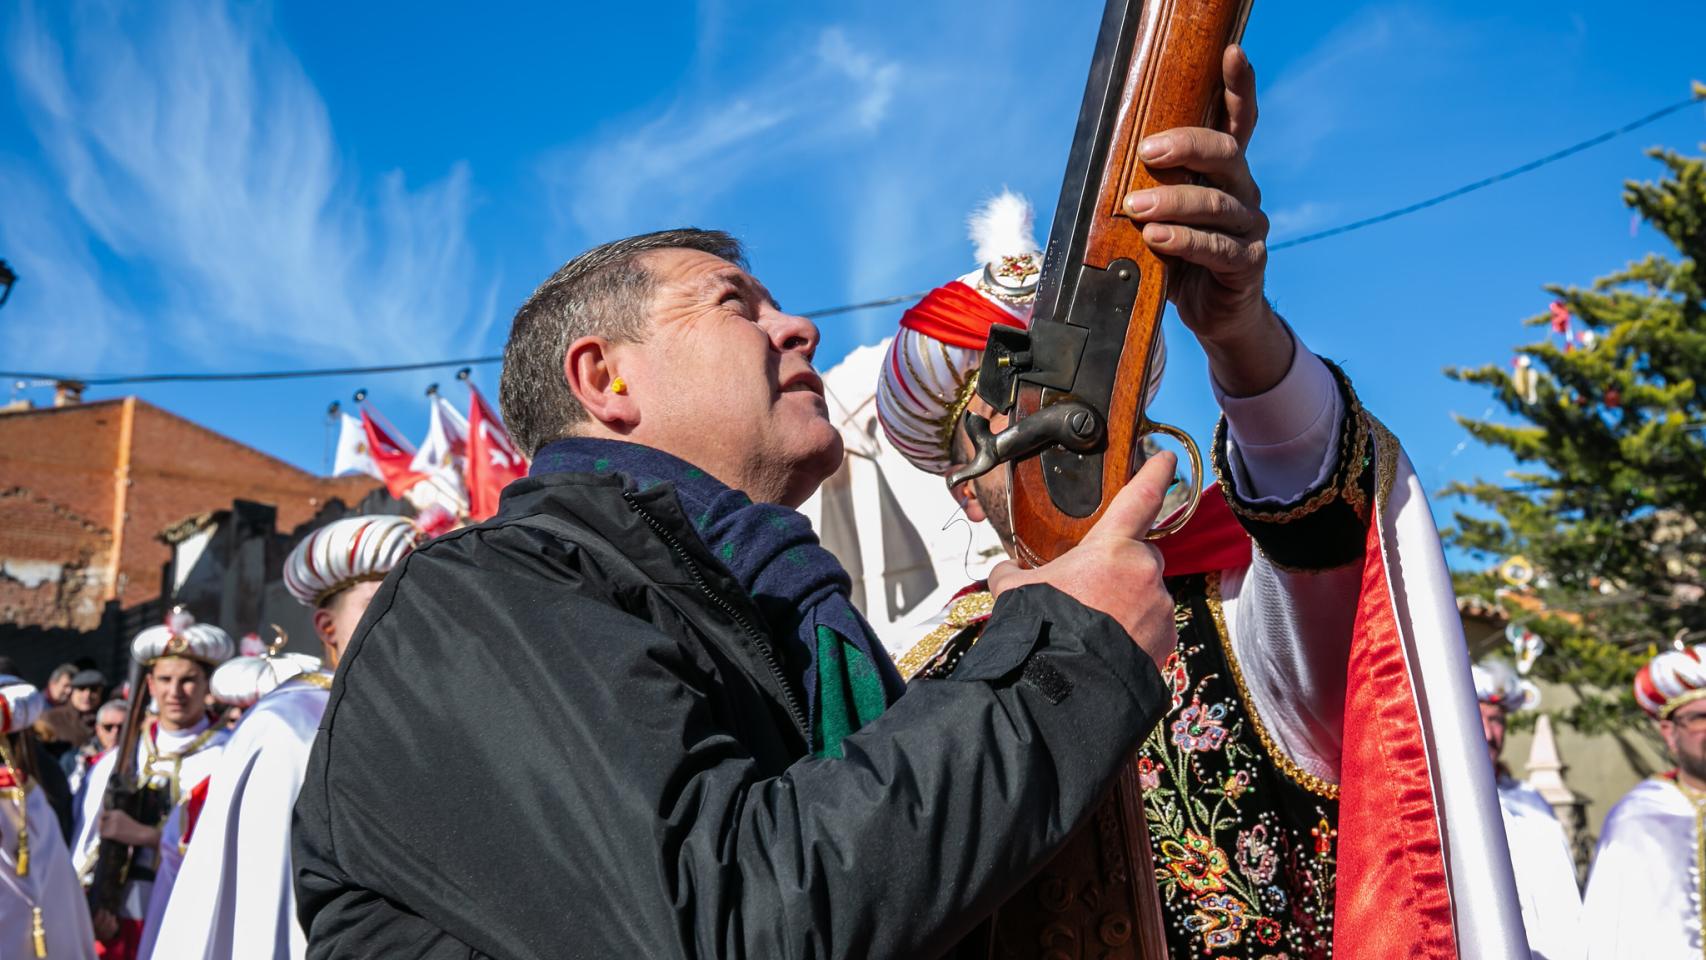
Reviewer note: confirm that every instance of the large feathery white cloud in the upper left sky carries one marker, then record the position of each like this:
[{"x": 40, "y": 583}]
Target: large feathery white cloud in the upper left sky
[{"x": 192, "y": 149}]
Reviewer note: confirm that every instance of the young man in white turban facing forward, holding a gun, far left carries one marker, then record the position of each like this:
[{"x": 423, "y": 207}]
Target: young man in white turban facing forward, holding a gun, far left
[{"x": 177, "y": 751}]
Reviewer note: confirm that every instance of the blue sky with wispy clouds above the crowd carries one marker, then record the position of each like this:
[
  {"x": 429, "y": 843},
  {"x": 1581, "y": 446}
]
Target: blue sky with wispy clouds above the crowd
[{"x": 216, "y": 187}]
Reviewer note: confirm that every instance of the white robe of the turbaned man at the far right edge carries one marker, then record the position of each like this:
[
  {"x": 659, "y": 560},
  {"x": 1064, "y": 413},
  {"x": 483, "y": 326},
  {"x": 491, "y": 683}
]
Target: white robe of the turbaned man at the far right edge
[{"x": 1644, "y": 896}]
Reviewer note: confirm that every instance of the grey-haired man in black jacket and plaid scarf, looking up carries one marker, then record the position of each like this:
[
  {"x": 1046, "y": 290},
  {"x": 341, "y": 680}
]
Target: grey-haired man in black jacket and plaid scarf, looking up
[{"x": 704, "y": 753}]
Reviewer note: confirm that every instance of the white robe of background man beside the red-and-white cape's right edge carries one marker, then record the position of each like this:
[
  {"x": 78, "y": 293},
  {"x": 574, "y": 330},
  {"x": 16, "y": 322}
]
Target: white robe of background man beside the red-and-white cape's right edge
[{"x": 1546, "y": 876}]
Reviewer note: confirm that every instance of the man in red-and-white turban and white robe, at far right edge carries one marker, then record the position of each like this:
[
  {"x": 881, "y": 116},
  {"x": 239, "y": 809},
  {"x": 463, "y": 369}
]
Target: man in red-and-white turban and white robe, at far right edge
[{"x": 1645, "y": 893}]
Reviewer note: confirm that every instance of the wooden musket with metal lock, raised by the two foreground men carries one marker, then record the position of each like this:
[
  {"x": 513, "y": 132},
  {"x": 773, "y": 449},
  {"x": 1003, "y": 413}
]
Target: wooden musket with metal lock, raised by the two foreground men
[{"x": 1076, "y": 388}]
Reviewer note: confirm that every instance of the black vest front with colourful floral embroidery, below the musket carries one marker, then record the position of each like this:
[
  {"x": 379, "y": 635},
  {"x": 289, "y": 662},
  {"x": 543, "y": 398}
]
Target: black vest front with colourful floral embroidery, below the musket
[{"x": 1245, "y": 859}]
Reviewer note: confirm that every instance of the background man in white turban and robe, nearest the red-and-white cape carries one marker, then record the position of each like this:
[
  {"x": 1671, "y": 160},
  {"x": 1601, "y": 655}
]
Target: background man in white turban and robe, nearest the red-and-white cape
[{"x": 1540, "y": 852}]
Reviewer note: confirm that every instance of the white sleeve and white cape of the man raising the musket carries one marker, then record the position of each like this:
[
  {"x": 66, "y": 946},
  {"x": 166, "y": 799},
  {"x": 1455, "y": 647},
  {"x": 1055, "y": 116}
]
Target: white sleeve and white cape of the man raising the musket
[{"x": 1291, "y": 633}]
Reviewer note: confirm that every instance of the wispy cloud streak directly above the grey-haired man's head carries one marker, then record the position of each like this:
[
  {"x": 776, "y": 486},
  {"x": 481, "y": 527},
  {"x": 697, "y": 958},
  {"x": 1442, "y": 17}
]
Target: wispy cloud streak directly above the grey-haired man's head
[{"x": 668, "y": 168}]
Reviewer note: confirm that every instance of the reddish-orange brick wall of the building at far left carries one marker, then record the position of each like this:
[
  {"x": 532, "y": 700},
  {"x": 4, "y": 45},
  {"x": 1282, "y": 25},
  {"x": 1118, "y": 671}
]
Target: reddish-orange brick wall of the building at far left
[{"x": 59, "y": 478}]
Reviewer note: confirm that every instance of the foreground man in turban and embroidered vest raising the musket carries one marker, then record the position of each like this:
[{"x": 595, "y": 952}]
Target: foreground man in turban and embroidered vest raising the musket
[{"x": 1296, "y": 806}]
